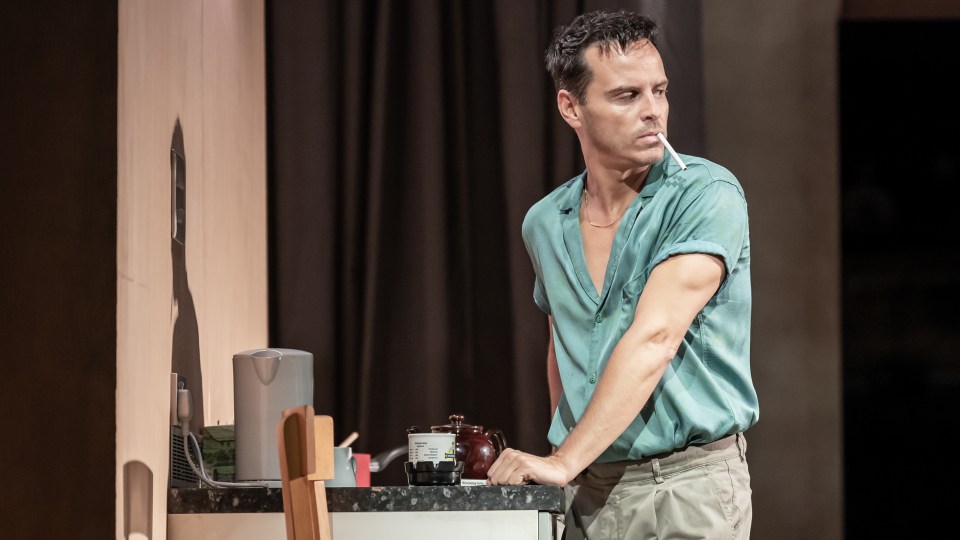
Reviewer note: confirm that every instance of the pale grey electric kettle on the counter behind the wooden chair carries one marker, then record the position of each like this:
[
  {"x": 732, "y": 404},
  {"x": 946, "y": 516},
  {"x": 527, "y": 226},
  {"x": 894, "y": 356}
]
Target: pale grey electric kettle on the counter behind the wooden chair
[{"x": 265, "y": 383}]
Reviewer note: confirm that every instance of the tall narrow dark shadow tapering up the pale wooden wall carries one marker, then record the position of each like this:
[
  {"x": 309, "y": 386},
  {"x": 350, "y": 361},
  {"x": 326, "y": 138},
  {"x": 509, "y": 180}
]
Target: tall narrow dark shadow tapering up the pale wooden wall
[{"x": 185, "y": 360}]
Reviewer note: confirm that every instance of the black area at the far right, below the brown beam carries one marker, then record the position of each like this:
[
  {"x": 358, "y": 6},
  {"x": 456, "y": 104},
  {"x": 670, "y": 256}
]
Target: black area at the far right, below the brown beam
[{"x": 901, "y": 285}]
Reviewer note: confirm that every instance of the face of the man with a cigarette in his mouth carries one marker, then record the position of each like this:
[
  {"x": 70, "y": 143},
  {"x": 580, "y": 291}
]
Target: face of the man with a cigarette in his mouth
[{"x": 625, "y": 106}]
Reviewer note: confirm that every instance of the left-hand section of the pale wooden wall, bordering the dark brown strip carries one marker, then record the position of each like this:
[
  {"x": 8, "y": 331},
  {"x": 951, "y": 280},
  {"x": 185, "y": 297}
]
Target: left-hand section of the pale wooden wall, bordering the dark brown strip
[{"x": 158, "y": 80}]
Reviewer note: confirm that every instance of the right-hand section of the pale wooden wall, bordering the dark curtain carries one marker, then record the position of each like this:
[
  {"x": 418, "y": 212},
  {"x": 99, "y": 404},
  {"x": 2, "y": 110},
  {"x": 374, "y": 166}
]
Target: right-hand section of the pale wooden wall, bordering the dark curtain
[{"x": 233, "y": 316}]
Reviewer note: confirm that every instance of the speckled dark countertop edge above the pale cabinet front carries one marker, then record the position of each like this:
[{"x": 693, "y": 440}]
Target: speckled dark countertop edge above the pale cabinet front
[{"x": 375, "y": 499}]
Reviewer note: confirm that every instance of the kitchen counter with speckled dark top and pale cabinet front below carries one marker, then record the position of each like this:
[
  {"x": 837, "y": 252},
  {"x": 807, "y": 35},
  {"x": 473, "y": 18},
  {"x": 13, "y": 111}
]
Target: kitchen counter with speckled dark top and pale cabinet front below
[{"x": 421, "y": 513}]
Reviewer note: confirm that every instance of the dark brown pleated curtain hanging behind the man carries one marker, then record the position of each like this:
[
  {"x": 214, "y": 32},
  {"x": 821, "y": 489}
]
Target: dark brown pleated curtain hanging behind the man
[{"x": 406, "y": 142}]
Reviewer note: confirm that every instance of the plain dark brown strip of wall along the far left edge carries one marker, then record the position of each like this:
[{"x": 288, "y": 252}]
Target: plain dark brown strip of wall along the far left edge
[{"x": 58, "y": 172}]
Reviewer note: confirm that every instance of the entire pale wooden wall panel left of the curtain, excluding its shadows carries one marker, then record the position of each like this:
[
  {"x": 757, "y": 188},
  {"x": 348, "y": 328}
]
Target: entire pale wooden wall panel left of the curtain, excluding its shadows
[{"x": 163, "y": 67}]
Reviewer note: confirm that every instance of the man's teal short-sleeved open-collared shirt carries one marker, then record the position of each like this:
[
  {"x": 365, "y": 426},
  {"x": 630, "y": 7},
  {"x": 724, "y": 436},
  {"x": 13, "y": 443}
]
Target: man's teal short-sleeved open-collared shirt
[{"x": 707, "y": 391}]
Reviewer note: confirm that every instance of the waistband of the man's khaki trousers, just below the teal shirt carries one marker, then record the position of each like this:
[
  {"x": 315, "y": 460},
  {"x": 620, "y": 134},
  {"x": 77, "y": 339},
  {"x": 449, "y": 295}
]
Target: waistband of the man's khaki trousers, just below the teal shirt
[{"x": 655, "y": 468}]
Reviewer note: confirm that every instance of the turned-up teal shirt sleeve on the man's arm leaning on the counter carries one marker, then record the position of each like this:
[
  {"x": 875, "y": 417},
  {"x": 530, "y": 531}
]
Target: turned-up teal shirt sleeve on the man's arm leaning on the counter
[{"x": 714, "y": 222}]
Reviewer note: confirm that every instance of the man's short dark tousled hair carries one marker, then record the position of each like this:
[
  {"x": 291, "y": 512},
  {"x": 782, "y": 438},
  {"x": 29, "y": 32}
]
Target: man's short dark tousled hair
[{"x": 607, "y": 29}]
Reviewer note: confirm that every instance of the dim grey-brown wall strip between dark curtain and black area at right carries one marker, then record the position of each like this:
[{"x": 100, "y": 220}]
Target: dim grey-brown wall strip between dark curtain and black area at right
[{"x": 771, "y": 117}]
